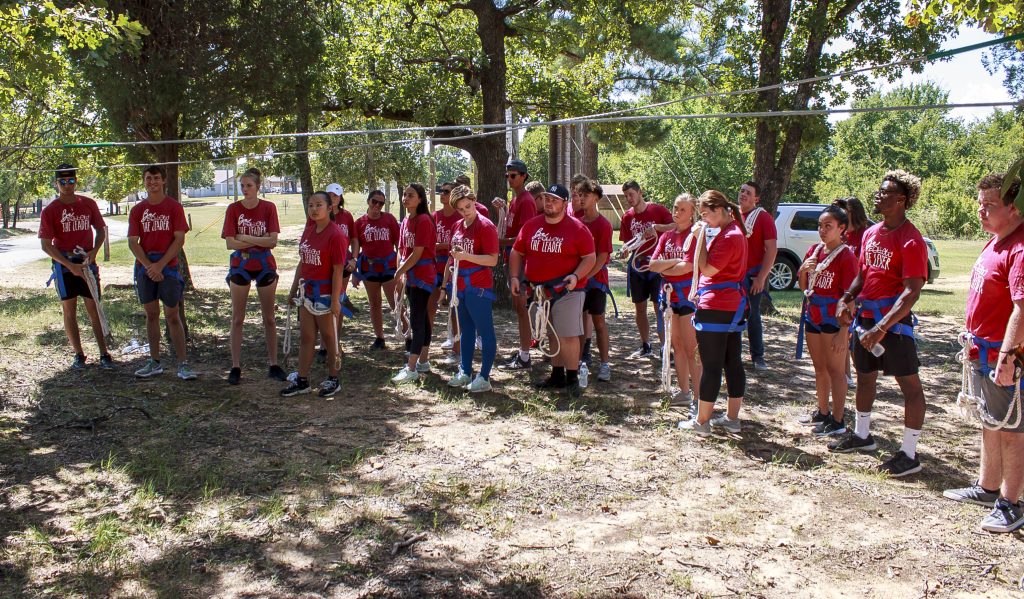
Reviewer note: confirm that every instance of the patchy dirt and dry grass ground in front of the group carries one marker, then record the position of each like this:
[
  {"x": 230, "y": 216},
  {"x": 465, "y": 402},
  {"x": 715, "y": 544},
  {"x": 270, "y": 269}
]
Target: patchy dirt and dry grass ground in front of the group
[{"x": 111, "y": 487}]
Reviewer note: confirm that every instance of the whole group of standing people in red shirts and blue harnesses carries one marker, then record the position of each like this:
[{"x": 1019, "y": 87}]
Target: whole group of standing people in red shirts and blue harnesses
[{"x": 705, "y": 265}]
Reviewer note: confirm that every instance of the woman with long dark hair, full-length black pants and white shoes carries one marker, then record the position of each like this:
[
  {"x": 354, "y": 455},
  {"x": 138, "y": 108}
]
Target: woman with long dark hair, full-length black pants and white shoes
[{"x": 418, "y": 276}]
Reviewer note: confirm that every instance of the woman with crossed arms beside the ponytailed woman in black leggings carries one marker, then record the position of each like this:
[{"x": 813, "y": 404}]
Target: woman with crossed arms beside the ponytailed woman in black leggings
[{"x": 673, "y": 260}]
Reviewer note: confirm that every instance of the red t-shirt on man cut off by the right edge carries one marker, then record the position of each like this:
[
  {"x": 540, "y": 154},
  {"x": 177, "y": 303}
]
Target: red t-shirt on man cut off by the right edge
[{"x": 997, "y": 282}]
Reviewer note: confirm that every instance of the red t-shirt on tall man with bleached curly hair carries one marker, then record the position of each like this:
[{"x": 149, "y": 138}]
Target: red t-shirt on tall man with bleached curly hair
[{"x": 888, "y": 258}]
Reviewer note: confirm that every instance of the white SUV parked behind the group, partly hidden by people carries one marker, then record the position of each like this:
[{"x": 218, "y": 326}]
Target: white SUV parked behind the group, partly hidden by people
[{"x": 798, "y": 231}]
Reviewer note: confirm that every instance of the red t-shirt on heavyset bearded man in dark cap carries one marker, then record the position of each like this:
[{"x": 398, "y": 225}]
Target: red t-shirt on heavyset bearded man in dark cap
[{"x": 553, "y": 251}]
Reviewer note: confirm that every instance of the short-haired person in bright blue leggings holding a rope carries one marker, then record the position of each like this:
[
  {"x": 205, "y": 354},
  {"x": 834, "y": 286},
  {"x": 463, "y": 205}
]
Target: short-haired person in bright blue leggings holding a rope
[{"x": 474, "y": 254}]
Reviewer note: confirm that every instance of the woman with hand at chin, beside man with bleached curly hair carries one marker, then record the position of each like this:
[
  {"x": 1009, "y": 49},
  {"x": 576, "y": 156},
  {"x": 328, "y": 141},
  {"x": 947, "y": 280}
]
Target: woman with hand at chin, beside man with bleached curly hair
[{"x": 828, "y": 270}]
